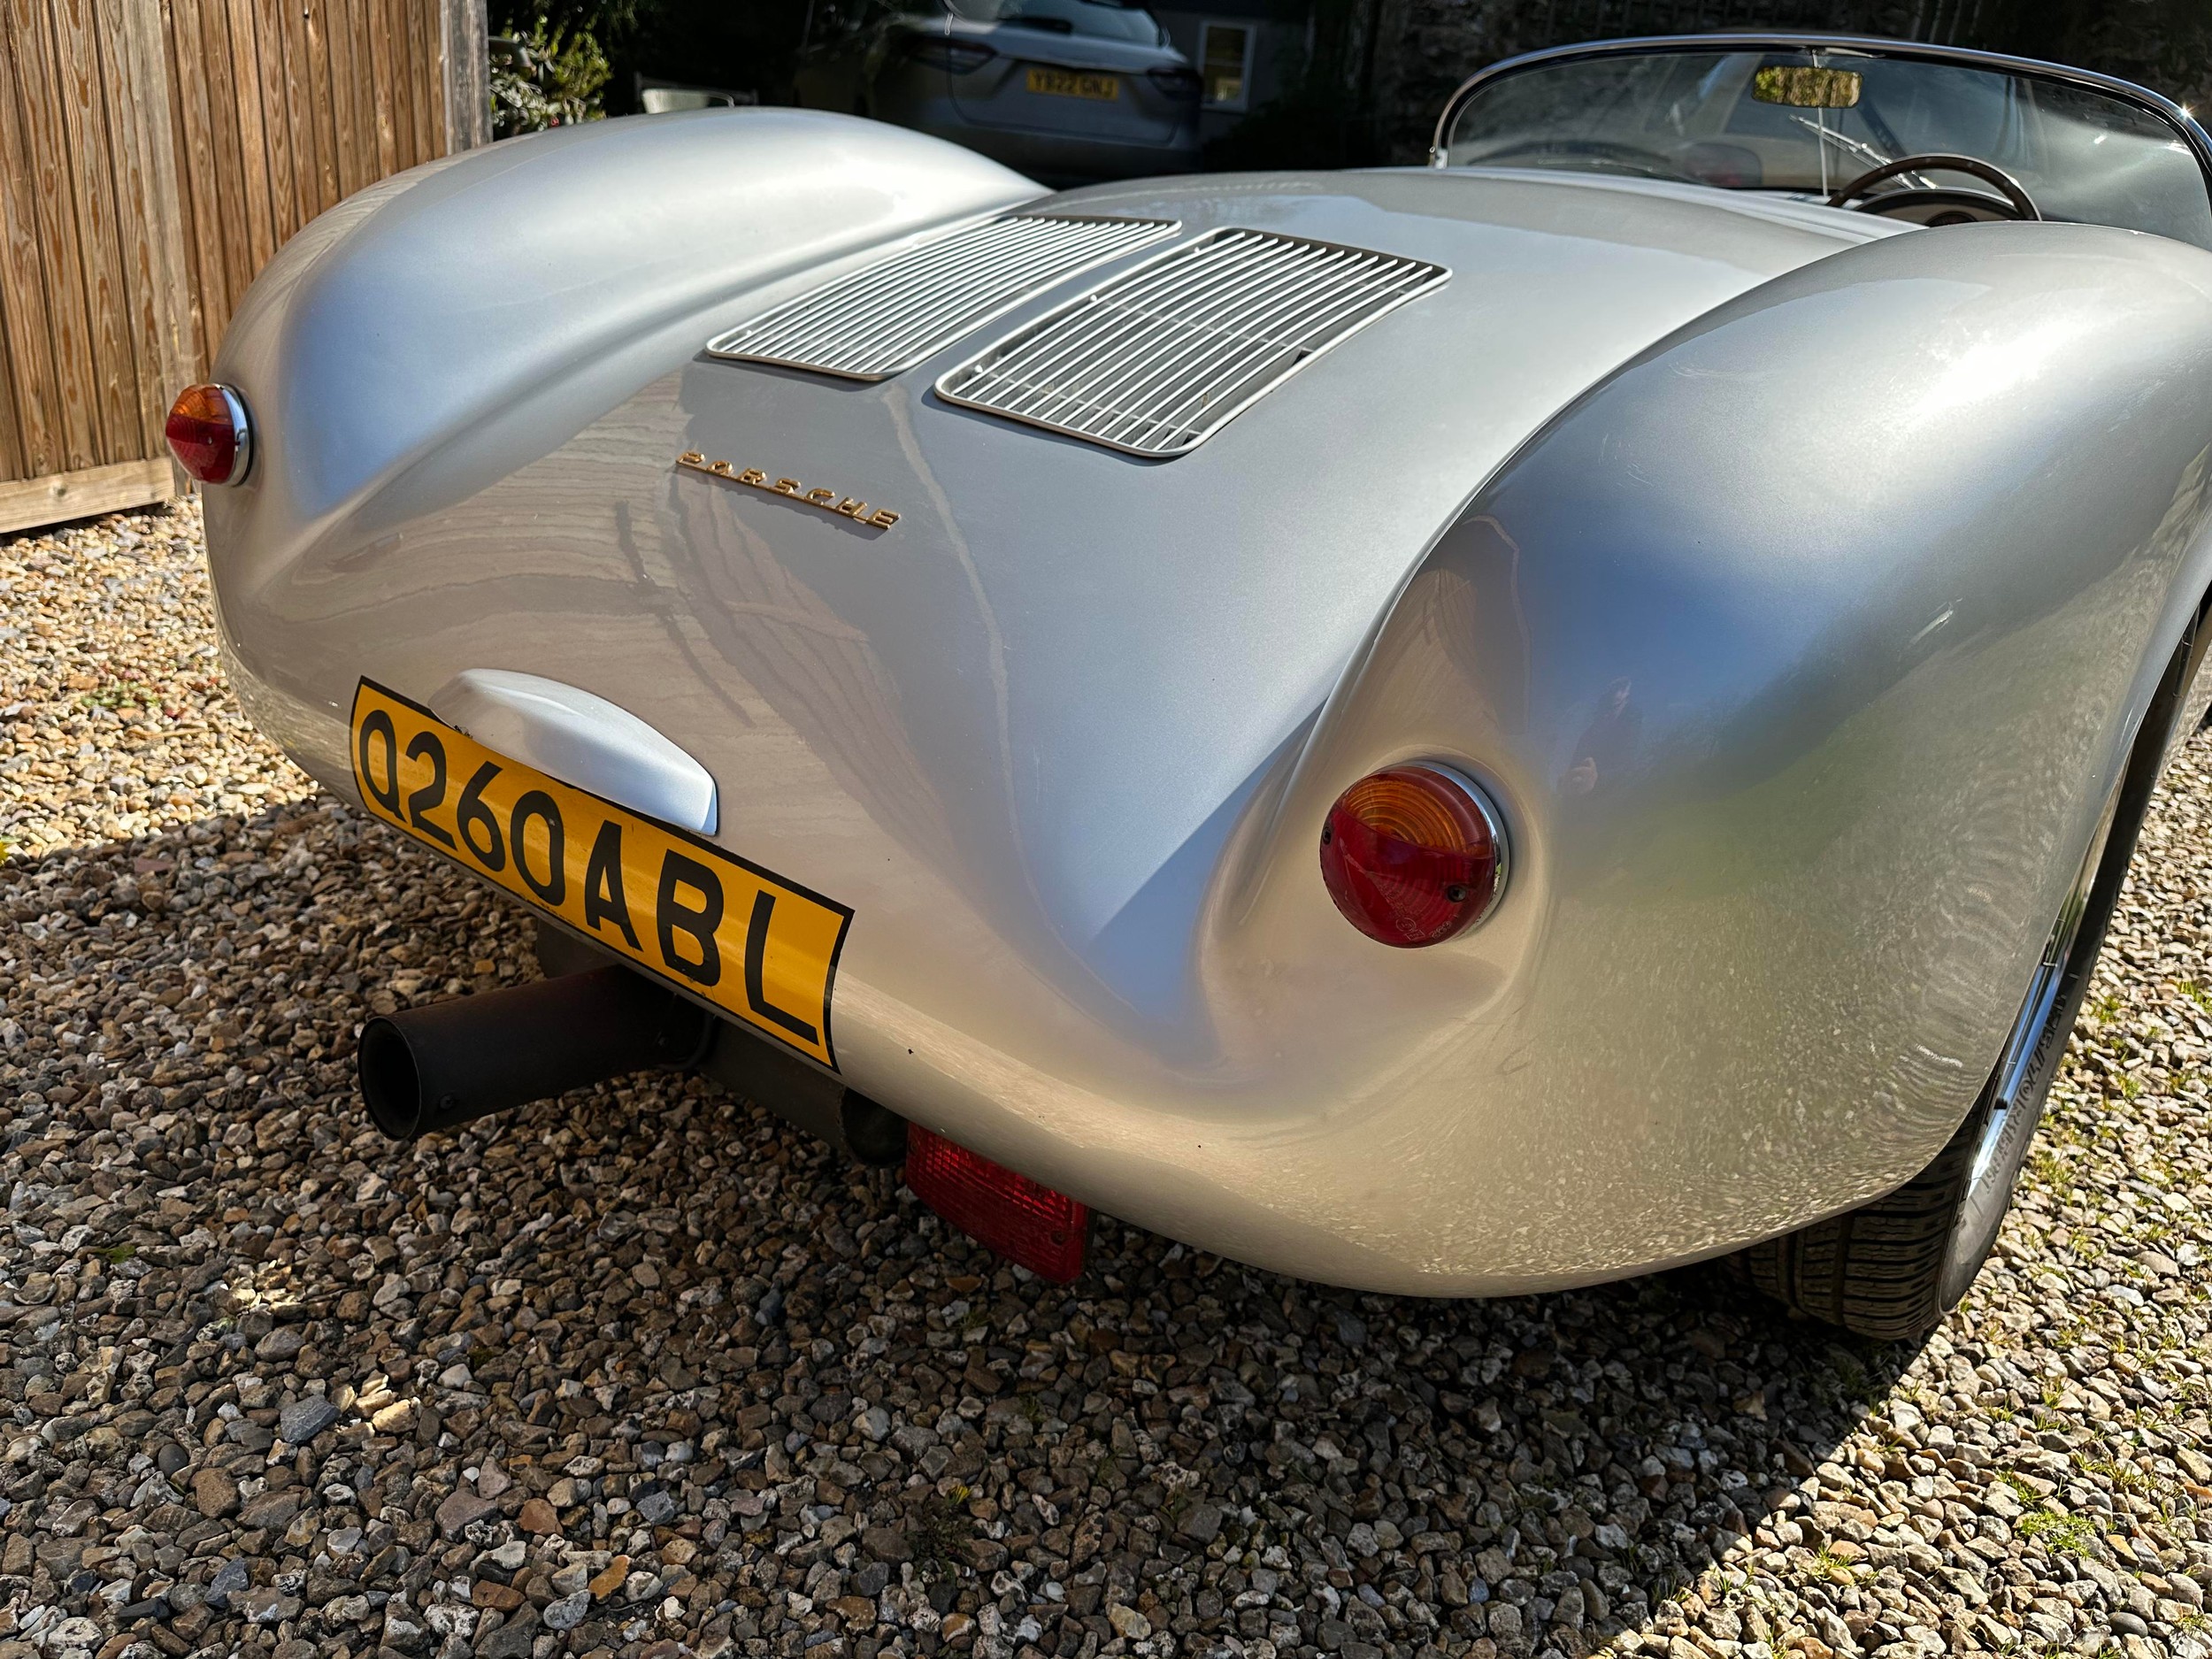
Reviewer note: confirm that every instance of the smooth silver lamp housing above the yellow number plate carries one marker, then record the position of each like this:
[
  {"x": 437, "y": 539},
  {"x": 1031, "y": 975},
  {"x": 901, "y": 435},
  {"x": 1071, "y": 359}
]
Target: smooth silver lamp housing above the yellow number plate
[{"x": 581, "y": 740}]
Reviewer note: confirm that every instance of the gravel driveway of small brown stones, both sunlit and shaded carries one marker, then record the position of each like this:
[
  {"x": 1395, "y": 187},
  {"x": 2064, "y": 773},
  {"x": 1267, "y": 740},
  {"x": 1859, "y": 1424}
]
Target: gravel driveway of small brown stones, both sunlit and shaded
[{"x": 645, "y": 1373}]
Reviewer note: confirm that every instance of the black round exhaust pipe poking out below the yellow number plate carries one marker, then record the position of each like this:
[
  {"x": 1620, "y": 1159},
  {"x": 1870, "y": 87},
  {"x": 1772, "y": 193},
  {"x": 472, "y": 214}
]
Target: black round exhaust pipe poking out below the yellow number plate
[{"x": 450, "y": 1063}]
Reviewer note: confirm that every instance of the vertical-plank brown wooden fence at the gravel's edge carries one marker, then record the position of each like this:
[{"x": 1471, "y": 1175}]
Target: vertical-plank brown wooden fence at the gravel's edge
[{"x": 154, "y": 156}]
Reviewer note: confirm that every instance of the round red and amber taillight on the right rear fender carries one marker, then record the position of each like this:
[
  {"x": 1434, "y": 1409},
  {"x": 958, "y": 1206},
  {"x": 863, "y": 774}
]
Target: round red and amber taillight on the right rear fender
[{"x": 1415, "y": 855}]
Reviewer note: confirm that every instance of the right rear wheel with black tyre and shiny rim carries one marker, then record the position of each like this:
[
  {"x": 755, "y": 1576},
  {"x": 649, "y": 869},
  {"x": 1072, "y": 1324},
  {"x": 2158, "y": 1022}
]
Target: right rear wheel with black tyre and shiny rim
[{"x": 1892, "y": 1269}]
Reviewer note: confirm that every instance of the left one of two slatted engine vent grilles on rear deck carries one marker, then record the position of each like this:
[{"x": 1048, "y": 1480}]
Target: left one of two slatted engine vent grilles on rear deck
[{"x": 890, "y": 317}]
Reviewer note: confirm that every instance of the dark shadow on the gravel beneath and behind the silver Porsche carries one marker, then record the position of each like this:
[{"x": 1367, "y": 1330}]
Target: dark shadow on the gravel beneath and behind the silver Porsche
[{"x": 656, "y": 1324}]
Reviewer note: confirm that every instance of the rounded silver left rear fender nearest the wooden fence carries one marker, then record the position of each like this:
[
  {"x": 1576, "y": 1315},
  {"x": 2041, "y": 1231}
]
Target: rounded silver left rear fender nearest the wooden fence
[{"x": 521, "y": 291}]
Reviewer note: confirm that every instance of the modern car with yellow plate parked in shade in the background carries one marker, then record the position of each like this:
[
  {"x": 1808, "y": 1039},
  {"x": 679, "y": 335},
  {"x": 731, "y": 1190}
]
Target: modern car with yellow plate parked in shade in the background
[{"x": 1065, "y": 90}]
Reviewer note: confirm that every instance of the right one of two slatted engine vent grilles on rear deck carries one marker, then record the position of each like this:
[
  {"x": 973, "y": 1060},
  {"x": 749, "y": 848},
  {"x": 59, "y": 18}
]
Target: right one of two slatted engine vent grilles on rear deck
[{"x": 1162, "y": 357}]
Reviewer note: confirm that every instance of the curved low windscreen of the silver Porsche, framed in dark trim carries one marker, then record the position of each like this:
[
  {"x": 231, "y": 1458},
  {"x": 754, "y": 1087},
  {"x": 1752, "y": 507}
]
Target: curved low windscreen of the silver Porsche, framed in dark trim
[{"x": 1815, "y": 121}]
